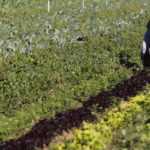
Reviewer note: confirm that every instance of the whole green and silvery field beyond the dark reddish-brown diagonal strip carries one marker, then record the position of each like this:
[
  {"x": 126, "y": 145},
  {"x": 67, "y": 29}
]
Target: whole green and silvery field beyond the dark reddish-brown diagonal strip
[{"x": 53, "y": 62}]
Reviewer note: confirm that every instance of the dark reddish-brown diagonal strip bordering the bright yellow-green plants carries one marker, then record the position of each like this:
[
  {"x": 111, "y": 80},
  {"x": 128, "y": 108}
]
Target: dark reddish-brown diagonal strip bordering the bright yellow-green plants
[{"x": 45, "y": 130}]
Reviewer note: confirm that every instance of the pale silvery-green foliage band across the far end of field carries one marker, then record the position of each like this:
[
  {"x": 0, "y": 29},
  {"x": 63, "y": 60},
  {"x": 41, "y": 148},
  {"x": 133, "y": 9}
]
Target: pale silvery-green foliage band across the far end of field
[{"x": 35, "y": 28}]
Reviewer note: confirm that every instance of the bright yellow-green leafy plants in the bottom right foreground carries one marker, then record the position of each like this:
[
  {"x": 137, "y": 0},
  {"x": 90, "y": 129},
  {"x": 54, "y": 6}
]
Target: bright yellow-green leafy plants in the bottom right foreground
[{"x": 124, "y": 127}]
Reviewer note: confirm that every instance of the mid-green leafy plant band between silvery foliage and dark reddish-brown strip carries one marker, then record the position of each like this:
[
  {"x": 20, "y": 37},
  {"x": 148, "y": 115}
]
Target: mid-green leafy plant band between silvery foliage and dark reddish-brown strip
[{"x": 43, "y": 83}]
